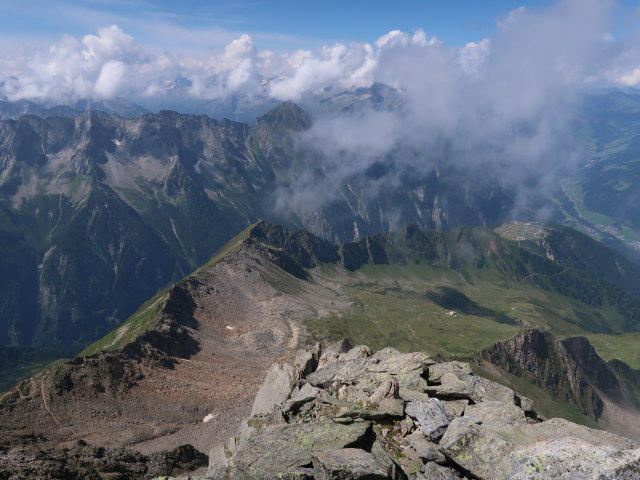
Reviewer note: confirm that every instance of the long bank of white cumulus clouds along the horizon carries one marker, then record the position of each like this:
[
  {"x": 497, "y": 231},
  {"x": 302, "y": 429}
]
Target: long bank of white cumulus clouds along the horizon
[{"x": 532, "y": 53}]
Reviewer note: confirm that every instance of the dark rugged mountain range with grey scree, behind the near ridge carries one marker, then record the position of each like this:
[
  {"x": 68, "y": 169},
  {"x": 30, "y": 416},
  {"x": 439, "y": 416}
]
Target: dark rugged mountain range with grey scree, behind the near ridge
[{"x": 98, "y": 211}]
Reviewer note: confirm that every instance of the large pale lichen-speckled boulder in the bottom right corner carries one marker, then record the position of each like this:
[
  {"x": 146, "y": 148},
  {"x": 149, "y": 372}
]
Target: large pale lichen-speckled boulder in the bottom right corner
[{"x": 555, "y": 449}]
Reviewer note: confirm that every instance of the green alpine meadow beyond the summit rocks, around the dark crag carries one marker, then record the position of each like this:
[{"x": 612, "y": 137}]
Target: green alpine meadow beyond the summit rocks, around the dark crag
[{"x": 390, "y": 307}]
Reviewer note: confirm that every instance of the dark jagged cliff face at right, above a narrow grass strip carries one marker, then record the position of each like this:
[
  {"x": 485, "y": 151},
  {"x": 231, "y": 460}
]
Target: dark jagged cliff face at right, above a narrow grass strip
[{"x": 572, "y": 372}]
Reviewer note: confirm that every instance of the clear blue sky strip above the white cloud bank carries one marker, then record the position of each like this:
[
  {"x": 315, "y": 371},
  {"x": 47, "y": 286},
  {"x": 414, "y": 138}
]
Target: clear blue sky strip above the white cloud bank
[{"x": 274, "y": 24}]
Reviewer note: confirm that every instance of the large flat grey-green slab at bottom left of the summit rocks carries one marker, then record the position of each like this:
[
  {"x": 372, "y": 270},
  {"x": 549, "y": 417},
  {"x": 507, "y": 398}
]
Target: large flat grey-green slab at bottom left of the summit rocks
[{"x": 281, "y": 448}]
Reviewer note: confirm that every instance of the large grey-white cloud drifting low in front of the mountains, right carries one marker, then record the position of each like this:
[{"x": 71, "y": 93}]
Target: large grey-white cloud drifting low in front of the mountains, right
[{"x": 502, "y": 106}]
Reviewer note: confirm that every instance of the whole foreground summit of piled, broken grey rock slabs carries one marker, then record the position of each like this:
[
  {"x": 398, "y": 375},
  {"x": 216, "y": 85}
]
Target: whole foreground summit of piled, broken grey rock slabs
[{"x": 343, "y": 412}]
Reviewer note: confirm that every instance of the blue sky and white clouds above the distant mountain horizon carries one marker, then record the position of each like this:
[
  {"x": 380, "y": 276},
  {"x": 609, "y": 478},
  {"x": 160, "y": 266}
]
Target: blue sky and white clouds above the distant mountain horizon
[{"x": 197, "y": 49}]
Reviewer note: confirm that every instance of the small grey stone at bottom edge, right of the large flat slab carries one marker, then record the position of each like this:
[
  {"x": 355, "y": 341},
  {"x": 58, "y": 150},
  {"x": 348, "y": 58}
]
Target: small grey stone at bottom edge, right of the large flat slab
[{"x": 347, "y": 464}]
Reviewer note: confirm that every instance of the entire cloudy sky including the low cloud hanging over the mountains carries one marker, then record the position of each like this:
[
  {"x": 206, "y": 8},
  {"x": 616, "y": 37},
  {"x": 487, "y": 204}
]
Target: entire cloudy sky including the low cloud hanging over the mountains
[{"x": 488, "y": 85}]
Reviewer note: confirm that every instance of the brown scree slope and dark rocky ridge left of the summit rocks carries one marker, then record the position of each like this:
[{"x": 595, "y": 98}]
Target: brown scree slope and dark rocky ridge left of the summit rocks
[{"x": 155, "y": 395}]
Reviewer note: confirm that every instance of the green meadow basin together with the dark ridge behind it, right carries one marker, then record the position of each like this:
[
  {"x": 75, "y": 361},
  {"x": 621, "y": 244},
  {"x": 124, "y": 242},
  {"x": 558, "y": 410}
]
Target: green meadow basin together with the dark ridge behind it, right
[{"x": 455, "y": 293}]
